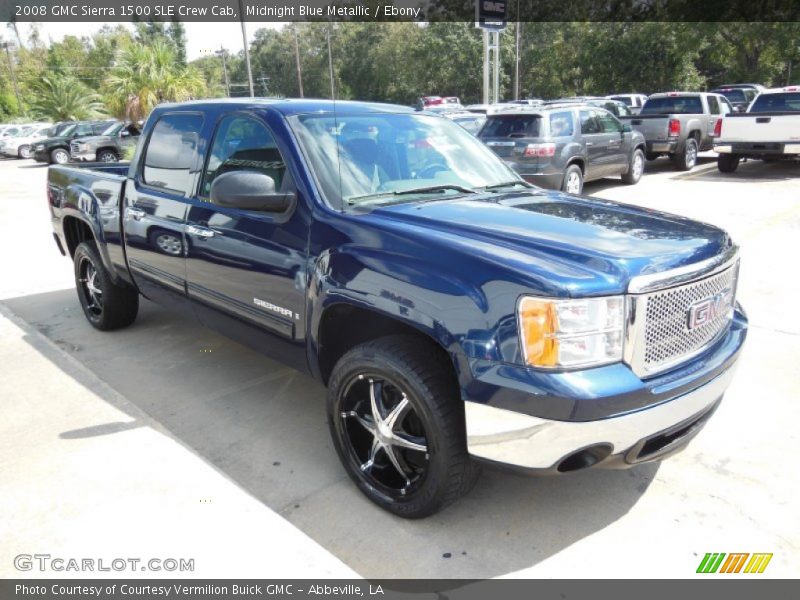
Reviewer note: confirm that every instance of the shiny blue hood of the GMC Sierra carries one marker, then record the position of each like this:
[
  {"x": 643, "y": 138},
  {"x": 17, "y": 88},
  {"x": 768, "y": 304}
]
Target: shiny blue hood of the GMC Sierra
[{"x": 565, "y": 242}]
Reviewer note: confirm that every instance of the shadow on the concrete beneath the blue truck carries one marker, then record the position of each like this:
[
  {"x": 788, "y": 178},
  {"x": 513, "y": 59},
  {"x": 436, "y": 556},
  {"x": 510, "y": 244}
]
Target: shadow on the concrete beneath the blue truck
[{"x": 264, "y": 426}]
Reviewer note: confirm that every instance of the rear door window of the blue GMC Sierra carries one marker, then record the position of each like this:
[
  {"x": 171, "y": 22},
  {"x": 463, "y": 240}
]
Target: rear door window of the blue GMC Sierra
[{"x": 170, "y": 152}]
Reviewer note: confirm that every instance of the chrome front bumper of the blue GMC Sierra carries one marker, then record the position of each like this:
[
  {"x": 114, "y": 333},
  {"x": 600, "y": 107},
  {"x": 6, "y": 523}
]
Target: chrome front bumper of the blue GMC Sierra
[{"x": 528, "y": 442}]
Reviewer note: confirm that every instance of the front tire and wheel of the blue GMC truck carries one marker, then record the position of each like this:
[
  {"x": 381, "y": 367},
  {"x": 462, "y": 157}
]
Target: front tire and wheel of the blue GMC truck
[{"x": 400, "y": 370}]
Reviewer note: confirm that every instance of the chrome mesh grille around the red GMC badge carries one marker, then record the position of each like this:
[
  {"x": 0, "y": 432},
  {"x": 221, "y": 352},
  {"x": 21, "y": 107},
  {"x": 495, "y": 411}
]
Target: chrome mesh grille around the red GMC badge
[{"x": 667, "y": 336}]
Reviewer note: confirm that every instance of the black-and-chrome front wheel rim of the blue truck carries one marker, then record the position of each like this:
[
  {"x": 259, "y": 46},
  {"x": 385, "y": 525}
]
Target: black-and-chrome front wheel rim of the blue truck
[{"x": 387, "y": 456}]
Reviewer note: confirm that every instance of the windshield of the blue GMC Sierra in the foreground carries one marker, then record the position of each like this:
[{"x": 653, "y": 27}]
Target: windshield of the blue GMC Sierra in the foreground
[{"x": 381, "y": 158}]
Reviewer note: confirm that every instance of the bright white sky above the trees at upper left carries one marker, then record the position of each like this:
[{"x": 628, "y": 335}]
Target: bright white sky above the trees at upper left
[{"x": 201, "y": 38}]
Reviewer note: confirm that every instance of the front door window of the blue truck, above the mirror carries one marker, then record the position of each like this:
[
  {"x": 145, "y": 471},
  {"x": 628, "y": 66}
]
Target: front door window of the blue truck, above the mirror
[{"x": 242, "y": 143}]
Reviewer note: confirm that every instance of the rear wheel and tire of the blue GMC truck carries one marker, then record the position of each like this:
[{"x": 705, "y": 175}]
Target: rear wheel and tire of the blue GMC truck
[{"x": 107, "y": 306}]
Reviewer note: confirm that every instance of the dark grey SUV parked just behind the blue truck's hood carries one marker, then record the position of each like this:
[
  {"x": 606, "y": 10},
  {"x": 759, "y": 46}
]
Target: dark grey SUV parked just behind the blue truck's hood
[{"x": 562, "y": 145}]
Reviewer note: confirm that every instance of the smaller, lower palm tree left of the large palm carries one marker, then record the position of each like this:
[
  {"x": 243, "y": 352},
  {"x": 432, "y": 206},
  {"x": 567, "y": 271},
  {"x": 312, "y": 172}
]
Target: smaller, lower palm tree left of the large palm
[{"x": 64, "y": 98}]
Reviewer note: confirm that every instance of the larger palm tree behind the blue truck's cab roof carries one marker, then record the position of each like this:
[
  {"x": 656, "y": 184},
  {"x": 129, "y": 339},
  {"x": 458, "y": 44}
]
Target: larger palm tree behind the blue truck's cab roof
[{"x": 145, "y": 75}]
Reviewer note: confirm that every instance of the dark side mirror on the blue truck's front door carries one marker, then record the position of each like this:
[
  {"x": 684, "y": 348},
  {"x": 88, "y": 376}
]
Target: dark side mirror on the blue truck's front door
[{"x": 249, "y": 190}]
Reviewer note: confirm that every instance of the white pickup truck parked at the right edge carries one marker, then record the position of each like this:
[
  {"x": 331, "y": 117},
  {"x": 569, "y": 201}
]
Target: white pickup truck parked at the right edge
[{"x": 769, "y": 130}]
